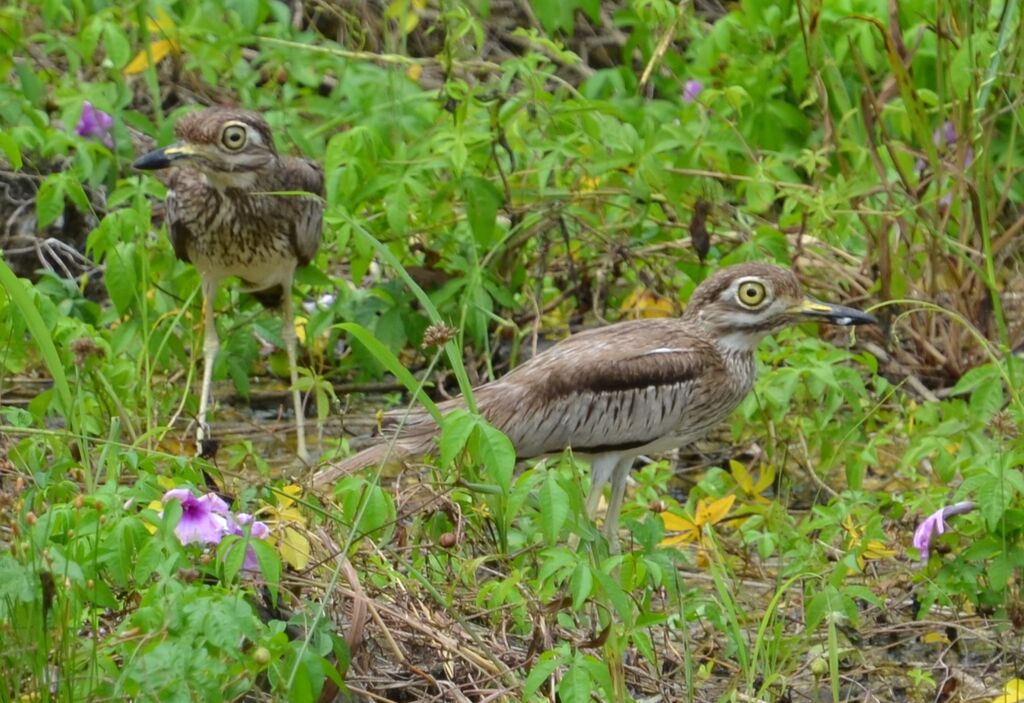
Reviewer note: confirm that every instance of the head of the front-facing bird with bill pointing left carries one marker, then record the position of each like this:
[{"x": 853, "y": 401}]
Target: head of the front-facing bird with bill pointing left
[{"x": 229, "y": 146}]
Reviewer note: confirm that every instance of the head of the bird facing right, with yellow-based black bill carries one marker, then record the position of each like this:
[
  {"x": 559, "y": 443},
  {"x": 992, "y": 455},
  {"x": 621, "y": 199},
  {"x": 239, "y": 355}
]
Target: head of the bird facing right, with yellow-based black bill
[{"x": 744, "y": 304}]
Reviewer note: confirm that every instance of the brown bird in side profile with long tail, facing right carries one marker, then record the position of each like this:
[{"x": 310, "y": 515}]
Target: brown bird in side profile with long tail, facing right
[{"x": 632, "y": 388}]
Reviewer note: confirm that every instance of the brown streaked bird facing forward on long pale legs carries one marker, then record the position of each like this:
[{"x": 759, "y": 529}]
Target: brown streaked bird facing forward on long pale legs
[{"x": 236, "y": 208}]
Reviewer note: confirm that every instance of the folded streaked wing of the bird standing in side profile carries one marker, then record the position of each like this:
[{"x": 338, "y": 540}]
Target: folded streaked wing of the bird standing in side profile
[{"x": 618, "y": 387}]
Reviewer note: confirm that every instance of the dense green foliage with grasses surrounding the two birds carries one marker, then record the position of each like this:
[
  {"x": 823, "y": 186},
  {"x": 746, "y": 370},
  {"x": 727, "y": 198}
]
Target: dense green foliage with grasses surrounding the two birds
[{"x": 510, "y": 195}]
